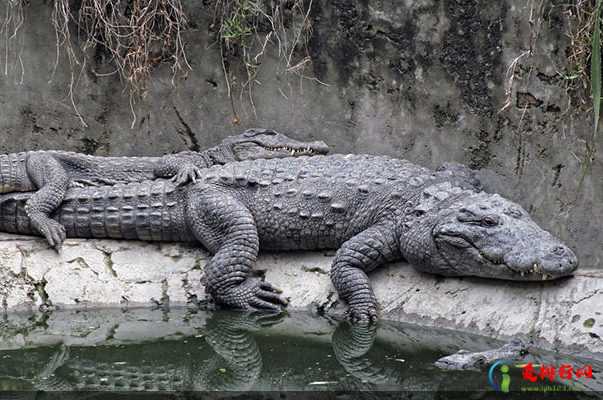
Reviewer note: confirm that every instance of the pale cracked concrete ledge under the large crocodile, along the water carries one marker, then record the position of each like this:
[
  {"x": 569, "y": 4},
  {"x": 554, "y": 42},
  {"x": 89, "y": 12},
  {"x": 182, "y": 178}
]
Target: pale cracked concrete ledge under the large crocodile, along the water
[{"x": 561, "y": 315}]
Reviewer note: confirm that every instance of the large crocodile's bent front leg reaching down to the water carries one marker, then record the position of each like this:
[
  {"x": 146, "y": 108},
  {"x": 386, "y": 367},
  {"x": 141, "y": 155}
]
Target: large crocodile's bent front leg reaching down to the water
[{"x": 359, "y": 255}]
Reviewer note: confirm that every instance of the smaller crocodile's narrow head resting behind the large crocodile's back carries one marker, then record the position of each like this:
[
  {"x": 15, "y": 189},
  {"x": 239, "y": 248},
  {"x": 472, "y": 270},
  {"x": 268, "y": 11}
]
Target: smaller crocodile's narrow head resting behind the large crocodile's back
[{"x": 266, "y": 143}]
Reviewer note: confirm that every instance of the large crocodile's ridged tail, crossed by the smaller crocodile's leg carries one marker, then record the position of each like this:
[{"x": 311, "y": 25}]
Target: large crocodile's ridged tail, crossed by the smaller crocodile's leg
[{"x": 149, "y": 210}]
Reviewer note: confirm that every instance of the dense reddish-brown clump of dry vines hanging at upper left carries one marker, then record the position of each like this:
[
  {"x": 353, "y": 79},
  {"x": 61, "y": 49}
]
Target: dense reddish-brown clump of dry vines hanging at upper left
[{"x": 137, "y": 35}]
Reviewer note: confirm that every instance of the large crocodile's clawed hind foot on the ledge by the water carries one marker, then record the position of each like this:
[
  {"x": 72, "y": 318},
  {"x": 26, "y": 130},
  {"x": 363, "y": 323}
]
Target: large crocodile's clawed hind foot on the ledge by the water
[{"x": 253, "y": 294}]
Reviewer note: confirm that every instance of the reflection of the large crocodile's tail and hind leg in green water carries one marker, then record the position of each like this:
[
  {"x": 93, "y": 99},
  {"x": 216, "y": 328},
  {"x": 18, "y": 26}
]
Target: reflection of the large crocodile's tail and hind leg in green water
[{"x": 235, "y": 365}]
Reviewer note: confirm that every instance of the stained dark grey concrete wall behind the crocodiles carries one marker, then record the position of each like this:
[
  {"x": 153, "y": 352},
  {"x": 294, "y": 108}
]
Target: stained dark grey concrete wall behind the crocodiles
[{"x": 422, "y": 80}]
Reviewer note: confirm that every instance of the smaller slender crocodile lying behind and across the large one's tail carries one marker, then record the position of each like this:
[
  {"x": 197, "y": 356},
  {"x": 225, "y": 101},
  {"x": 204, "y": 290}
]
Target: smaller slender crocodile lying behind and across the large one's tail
[{"x": 53, "y": 171}]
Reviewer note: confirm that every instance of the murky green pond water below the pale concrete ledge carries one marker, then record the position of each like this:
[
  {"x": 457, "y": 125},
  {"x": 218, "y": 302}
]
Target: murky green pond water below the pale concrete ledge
[{"x": 194, "y": 351}]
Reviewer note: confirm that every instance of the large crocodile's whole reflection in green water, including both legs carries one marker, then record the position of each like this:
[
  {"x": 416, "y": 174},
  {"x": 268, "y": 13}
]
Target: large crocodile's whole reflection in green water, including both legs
[{"x": 234, "y": 364}]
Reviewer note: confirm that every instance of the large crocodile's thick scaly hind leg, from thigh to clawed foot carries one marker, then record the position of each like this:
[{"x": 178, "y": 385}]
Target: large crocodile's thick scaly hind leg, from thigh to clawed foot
[{"x": 226, "y": 228}]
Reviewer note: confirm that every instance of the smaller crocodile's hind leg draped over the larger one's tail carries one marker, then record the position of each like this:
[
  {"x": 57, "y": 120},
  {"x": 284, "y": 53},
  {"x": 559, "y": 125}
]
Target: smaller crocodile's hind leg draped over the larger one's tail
[{"x": 52, "y": 180}]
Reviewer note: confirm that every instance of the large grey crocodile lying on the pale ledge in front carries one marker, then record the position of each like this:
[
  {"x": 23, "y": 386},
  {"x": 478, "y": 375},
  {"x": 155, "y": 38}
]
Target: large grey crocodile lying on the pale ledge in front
[{"x": 373, "y": 209}]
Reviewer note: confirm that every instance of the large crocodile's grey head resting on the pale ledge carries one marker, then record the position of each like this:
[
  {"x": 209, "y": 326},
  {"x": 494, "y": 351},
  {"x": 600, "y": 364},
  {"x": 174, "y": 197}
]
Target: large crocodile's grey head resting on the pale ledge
[{"x": 486, "y": 235}]
